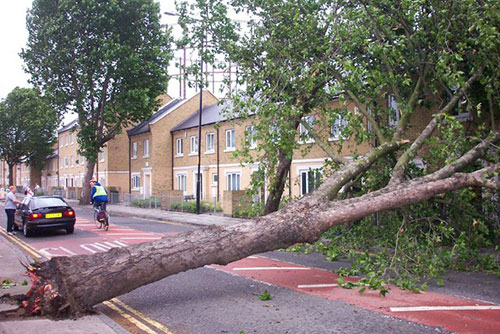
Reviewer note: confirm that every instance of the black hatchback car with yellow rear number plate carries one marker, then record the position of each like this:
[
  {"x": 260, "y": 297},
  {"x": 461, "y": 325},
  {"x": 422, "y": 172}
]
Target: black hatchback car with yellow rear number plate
[{"x": 44, "y": 213}]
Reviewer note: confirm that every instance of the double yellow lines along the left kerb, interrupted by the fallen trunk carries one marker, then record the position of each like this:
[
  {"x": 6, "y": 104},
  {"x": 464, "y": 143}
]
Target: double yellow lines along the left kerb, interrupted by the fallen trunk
[{"x": 129, "y": 314}]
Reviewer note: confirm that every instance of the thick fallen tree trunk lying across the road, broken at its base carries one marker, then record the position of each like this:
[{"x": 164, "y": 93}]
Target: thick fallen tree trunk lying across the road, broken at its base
[{"x": 73, "y": 285}]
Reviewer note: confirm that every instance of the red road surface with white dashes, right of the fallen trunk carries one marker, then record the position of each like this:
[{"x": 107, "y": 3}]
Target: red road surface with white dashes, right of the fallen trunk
[{"x": 432, "y": 309}]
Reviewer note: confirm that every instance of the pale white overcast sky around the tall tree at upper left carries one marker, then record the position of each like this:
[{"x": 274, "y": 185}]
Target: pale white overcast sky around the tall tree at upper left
[{"x": 14, "y": 36}]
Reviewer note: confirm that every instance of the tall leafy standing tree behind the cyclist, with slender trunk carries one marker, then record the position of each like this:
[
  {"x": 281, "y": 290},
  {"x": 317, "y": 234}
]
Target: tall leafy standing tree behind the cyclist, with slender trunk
[{"x": 105, "y": 61}]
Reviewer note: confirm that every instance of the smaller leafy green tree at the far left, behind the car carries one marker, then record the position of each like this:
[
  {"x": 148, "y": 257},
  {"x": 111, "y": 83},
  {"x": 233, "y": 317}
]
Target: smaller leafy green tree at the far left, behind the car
[{"x": 27, "y": 129}]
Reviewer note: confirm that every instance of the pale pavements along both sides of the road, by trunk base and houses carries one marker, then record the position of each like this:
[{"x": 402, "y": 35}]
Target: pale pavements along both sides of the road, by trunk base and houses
[{"x": 13, "y": 273}]
